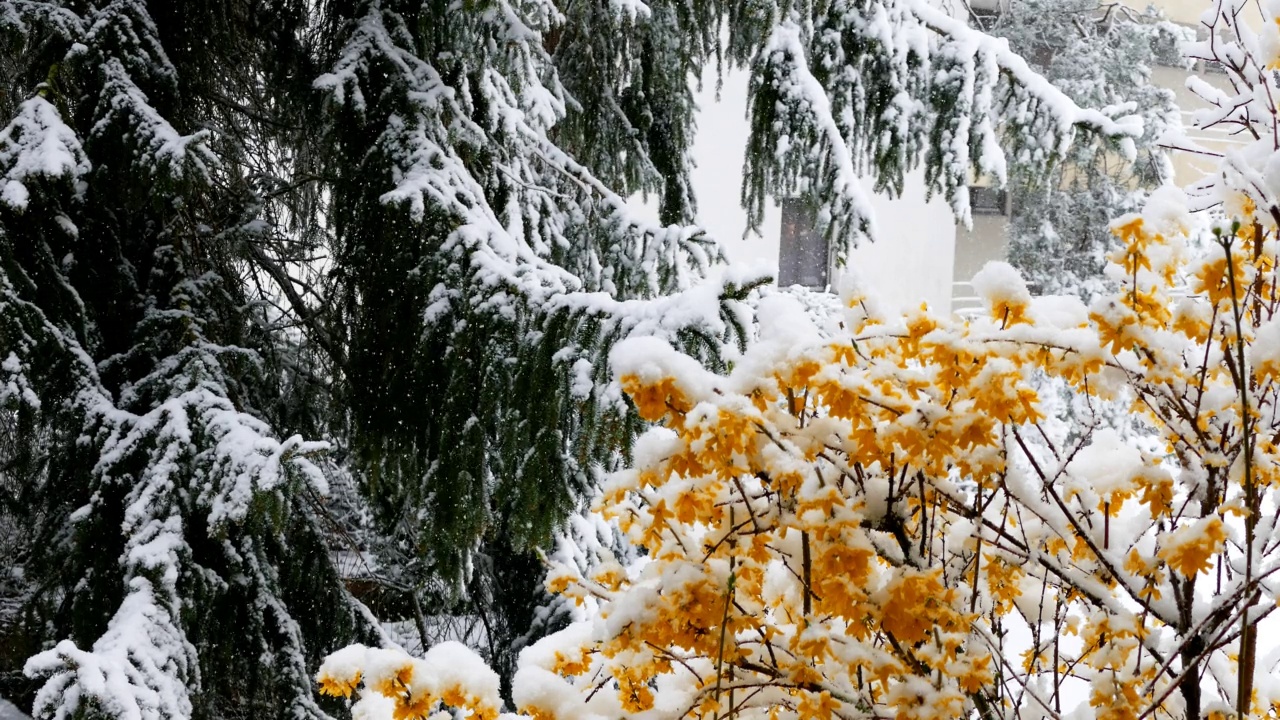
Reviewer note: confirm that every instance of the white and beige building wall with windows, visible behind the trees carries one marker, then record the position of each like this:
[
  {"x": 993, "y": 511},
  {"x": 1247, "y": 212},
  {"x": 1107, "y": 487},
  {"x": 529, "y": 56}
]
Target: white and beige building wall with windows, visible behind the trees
[{"x": 922, "y": 254}]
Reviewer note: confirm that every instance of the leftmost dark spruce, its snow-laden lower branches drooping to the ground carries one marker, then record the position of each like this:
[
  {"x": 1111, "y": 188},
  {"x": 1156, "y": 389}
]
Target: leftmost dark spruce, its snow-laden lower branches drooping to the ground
[{"x": 171, "y": 568}]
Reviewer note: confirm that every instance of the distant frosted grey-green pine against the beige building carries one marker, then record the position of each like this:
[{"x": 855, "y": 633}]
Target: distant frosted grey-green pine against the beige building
[{"x": 1101, "y": 54}]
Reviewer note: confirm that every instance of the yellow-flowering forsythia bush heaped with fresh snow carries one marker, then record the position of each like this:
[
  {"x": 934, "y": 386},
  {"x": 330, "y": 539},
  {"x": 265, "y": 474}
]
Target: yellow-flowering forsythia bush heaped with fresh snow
[{"x": 886, "y": 525}]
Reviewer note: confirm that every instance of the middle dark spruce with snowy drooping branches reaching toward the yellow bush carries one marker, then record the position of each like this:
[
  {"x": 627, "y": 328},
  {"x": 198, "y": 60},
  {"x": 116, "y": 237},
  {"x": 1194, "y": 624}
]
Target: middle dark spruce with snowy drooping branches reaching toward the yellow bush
[{"x": 483, "y": 275}]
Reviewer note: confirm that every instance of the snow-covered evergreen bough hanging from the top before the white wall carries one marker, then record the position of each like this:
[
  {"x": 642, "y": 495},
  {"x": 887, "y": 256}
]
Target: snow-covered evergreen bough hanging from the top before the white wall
[{"x": 880, "y": 88}]
